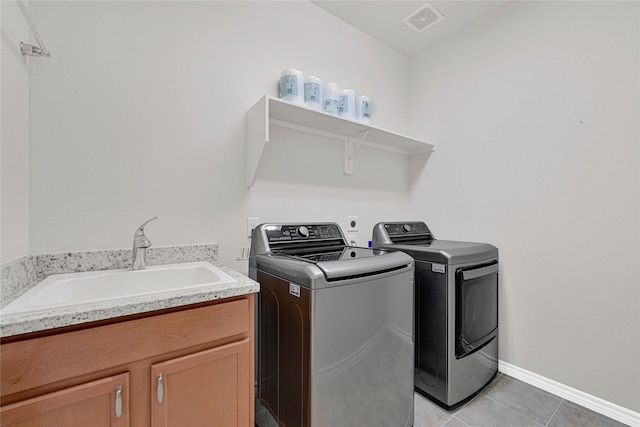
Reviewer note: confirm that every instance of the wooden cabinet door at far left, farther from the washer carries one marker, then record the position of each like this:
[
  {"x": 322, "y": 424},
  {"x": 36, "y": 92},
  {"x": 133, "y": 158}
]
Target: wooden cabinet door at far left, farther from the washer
[{"x": 104, "y": 402}]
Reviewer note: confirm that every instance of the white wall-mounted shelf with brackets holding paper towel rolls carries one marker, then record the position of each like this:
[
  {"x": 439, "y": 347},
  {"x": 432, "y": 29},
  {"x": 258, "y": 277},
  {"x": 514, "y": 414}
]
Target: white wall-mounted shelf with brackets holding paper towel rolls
[{"x": 270, "y": 111}]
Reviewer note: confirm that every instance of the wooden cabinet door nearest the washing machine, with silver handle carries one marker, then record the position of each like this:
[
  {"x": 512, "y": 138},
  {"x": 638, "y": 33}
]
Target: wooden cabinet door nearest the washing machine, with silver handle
[{"x": 208, "y": 388}]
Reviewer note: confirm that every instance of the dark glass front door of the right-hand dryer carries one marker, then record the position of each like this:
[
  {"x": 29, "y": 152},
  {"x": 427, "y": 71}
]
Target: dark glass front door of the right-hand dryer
[{"x": 476, "y": 307}]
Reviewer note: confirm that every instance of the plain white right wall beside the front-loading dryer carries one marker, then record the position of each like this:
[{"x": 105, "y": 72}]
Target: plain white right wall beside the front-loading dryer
[{"x": 534, "y": 111}]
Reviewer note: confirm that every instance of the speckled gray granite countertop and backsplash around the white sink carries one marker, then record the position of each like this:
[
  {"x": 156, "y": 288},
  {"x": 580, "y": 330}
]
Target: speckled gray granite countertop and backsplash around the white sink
[{"x": 21, "y": 323}]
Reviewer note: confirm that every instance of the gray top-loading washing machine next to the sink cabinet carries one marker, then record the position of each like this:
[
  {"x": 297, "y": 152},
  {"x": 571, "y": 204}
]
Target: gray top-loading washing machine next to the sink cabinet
[{"x": 335, "y": 328}]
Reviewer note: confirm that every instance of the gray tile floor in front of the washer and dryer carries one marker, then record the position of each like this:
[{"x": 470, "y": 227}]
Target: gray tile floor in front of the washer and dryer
[{"x": 507, "y": 402}]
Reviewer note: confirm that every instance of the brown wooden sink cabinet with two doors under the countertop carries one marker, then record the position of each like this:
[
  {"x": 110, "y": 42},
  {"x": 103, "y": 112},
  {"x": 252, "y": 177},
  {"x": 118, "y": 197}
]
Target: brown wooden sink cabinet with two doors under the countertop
[{"x": 78, "y": 377}]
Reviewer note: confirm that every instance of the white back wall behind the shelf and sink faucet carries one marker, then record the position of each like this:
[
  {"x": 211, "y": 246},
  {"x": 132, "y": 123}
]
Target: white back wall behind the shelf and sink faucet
[{"x": 141, "y": 112}]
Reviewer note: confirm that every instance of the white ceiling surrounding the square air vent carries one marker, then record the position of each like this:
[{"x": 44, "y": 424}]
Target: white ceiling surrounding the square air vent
[{"x": 382, "y": 20}]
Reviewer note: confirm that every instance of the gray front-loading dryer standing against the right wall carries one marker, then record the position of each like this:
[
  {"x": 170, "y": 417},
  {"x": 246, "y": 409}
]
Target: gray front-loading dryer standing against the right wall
[{"x": 456, "y": 311}]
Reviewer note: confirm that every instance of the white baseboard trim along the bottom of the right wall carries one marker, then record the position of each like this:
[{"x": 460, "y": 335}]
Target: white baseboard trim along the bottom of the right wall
[{"x": 594, "y": 403}]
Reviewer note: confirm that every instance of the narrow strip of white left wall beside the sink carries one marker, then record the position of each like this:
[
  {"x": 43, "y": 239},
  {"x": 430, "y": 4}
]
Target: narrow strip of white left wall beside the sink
[{"x": 14, "y": 134}]
